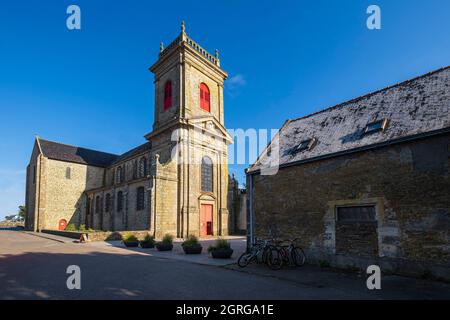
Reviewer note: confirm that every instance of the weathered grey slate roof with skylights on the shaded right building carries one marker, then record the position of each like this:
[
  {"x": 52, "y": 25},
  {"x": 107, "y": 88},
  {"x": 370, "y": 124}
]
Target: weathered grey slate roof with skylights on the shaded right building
[{"x": 417, "y": 106}]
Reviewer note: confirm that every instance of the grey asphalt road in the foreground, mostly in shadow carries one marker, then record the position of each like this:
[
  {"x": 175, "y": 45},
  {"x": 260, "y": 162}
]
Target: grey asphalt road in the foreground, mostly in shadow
[{"x": 35, "y": 268}]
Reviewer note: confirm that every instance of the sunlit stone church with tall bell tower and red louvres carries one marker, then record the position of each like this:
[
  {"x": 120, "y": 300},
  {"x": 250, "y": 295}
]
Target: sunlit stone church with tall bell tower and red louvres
[{"x": 176, "y": 182}]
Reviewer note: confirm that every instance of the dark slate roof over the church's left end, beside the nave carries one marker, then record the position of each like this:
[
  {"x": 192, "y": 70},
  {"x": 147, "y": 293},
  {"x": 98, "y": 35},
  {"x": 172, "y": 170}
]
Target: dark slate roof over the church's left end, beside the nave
[{"x": 63, "y": 152}]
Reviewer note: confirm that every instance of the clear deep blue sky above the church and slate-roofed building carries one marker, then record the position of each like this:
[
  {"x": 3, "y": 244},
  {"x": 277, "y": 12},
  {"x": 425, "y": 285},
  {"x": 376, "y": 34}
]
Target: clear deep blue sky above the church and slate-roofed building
[{"x": 92, "y": 87}]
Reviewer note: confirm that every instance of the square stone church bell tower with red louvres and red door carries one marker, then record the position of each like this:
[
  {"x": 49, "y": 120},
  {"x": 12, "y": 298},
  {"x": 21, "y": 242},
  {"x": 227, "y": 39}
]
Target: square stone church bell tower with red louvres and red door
[{"x": 191, "y": 183}]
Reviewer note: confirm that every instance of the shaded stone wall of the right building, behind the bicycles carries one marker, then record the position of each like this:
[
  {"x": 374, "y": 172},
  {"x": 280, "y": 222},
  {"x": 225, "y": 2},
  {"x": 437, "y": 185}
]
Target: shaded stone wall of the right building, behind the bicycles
[{"x": 409, "y": 185}]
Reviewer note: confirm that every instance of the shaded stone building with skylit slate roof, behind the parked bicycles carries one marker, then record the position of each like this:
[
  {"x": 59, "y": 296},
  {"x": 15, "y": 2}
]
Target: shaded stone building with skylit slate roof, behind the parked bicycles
[{"x": 364, "y": 182}]
